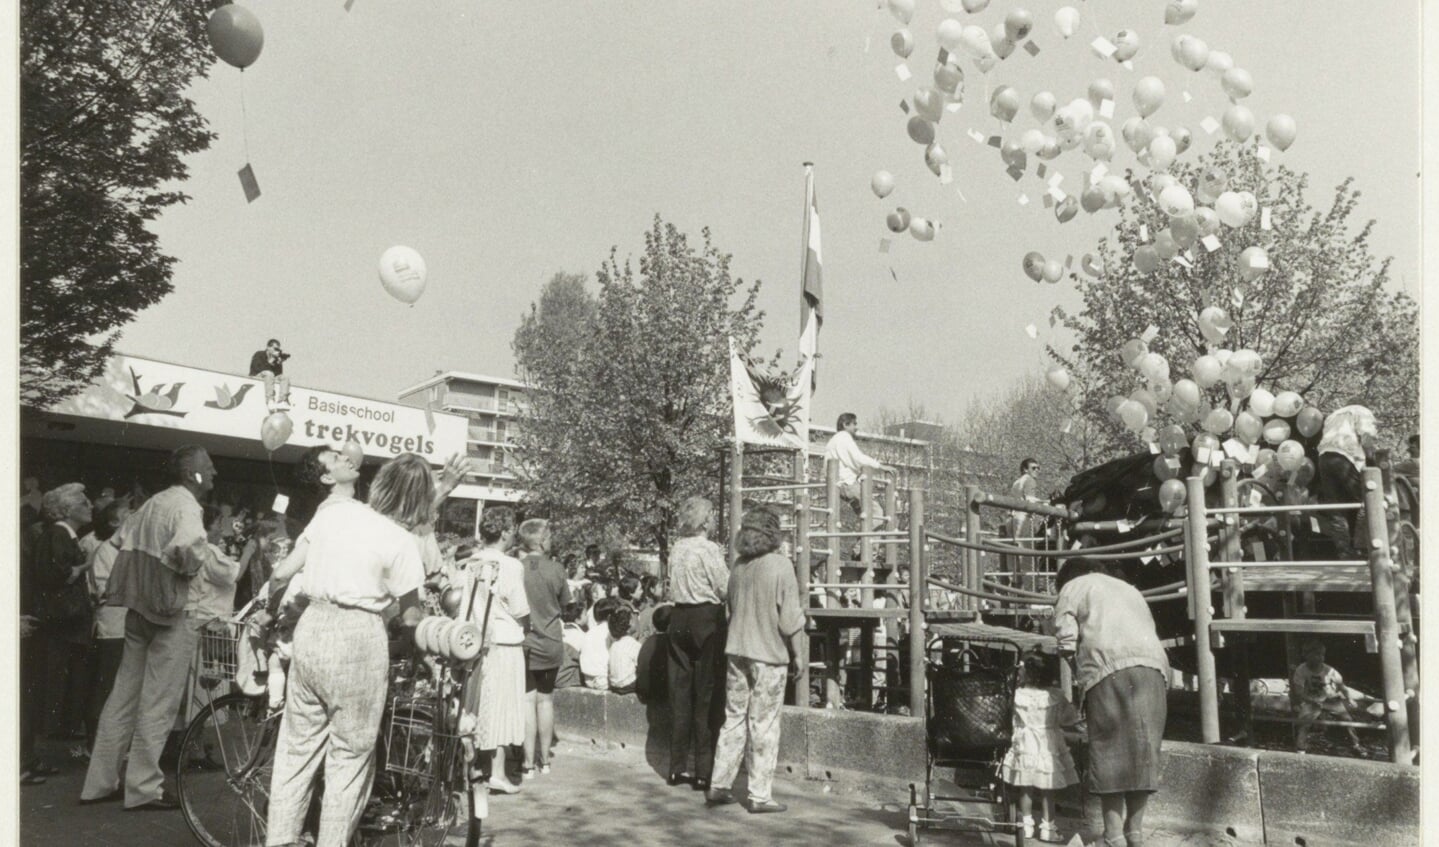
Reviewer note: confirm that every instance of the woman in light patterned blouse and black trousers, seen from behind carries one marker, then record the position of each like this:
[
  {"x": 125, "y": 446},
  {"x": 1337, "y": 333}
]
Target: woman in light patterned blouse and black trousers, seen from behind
[{"x": 700, "y": 582}]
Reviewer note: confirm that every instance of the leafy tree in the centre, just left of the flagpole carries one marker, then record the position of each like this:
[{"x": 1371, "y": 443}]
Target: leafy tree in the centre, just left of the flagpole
[{"x": 630, "y": 403}]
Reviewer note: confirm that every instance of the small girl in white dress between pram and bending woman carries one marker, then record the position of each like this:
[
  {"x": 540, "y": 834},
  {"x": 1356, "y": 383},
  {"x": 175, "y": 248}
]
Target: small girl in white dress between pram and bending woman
[{"x": 1038, "y": 760}]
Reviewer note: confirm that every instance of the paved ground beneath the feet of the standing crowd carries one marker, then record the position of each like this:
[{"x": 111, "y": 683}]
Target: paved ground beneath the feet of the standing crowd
[{"x": 594, "y": 797}]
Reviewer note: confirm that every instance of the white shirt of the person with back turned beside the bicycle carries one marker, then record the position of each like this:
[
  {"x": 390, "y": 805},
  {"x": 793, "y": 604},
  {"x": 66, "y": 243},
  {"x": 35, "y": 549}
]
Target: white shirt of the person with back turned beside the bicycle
[{"x": 359, "y": 559}]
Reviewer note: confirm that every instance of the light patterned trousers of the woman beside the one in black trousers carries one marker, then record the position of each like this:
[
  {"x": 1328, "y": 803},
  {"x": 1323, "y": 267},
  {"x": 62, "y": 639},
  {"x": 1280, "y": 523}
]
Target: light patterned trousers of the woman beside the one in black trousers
[{"x": 753, "y": 692}]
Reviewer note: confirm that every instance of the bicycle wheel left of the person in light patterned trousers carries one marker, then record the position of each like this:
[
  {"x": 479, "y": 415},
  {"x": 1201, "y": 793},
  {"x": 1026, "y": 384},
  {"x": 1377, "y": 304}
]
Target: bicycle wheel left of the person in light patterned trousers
[{"x": 224, "y": 774}]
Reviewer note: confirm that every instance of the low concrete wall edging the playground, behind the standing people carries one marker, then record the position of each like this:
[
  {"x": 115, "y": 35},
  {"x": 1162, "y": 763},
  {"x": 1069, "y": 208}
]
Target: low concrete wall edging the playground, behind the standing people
[{"x": 1233, "y": 795}]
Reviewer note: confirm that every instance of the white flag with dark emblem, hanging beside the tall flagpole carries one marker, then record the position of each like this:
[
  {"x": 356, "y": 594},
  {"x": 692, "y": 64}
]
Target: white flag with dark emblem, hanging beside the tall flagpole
[{"x": 769, "y": 411}]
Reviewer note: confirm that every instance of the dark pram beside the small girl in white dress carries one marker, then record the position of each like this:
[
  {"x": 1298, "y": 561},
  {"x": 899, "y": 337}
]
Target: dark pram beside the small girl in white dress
[{"x": 972, "y": 671}]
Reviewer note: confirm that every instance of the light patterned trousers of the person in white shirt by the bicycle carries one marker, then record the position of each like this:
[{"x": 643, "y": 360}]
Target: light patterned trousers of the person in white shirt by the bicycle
[{"x": 339, "y": 681}]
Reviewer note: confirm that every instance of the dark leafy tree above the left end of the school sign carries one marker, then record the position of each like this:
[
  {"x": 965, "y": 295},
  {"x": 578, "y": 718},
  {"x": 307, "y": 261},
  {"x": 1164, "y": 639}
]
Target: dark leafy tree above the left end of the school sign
[{"x": 104, "y": 133}]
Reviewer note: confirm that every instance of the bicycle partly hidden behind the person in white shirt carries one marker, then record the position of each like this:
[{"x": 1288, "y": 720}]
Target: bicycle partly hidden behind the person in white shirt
[{"x": 421, "y": 796}]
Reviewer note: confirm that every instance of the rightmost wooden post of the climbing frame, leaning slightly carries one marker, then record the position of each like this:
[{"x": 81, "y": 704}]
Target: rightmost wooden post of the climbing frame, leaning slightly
[{"x": 1386, "y": 622}]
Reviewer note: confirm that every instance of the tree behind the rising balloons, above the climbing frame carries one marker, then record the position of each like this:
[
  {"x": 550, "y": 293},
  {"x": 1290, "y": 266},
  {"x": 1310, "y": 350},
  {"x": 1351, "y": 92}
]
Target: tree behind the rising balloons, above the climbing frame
[{"x": 1323, "y": 316}]
